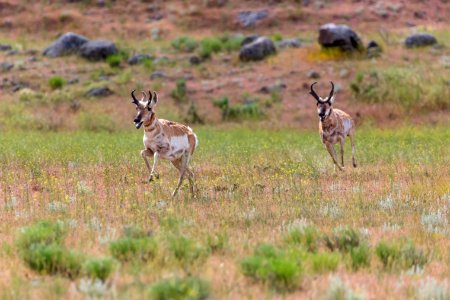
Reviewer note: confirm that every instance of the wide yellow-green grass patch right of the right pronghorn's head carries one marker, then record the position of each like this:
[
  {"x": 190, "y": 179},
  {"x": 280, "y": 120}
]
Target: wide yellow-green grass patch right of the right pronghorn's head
[{"x": 408, "y": 88}]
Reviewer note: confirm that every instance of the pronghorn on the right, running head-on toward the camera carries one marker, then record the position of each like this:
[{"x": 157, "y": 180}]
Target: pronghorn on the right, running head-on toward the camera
[{"x": 334, "y": 126}]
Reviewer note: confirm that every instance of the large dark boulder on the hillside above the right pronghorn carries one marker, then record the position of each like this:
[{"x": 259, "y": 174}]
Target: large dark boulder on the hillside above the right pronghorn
[{"x": 341, "y": 36}]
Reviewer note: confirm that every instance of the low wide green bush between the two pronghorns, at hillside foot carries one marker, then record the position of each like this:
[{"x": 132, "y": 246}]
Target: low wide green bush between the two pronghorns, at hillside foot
[{"x": 249, "y": 110}]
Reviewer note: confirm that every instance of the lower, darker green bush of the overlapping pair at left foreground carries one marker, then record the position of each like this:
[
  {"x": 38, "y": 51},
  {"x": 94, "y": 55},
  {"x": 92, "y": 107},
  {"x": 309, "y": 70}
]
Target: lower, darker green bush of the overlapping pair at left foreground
[{"x": 53, "y": 259}]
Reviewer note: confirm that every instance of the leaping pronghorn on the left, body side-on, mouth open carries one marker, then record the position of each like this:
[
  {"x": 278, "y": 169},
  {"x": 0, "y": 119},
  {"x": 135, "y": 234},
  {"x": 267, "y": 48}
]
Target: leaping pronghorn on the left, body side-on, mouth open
[{"x": 164, "y": 139}]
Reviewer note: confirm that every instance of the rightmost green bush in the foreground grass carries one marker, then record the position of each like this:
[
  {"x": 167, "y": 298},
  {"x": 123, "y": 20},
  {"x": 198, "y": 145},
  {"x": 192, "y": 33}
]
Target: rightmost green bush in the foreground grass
[{"x": 406, "y": 256}]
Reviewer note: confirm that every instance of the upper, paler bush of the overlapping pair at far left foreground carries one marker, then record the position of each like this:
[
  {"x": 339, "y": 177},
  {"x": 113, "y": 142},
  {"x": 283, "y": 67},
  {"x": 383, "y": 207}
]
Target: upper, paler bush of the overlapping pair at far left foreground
[{"x": 41, "y": 233}]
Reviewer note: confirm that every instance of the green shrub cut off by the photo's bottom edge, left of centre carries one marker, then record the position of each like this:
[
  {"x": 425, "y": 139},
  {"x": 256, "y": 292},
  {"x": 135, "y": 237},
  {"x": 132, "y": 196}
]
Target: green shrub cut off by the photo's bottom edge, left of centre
[{"x": 191, "y": 288}]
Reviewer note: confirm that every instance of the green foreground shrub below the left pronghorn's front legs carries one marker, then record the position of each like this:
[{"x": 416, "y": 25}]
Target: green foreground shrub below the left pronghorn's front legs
[{"x": 133, "y": 249}]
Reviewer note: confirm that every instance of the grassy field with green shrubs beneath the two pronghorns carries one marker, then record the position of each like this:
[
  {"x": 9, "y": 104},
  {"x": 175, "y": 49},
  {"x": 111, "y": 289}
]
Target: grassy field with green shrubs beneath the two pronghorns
[{"x": 272, "y": 217}]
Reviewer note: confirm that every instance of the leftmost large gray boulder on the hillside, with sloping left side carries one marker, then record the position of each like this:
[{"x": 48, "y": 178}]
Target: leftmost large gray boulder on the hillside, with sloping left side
[{"x": 68, "y": 43}]
